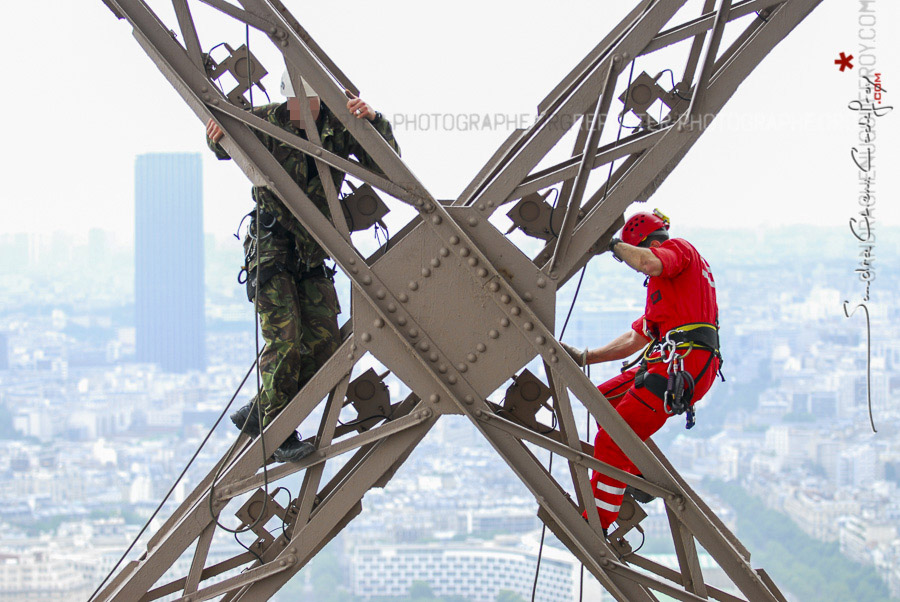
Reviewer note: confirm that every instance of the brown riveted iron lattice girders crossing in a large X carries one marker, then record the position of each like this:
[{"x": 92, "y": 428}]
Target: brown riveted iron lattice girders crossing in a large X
[{"x": 453, "y": 307}]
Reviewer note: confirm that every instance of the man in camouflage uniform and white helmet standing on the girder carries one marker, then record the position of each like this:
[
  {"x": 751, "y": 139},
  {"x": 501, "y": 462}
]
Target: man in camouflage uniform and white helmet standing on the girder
[{"x": 286, "y": 275}]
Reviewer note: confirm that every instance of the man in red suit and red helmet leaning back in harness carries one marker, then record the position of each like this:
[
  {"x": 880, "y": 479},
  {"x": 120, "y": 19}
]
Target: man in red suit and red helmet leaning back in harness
[{"x": 679, "y": 335}]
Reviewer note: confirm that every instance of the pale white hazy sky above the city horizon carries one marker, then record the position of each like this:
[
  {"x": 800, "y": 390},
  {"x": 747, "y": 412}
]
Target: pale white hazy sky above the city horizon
[{"x": 82, "y": 99}]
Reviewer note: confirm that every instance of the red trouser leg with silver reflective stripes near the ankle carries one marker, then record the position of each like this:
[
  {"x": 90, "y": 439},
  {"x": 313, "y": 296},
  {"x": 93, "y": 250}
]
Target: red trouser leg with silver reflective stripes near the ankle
[{"x": 644, "y": 413}]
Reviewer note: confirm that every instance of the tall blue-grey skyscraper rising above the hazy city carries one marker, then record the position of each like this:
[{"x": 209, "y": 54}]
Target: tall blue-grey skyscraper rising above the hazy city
[{"x": 168, "y": 240}]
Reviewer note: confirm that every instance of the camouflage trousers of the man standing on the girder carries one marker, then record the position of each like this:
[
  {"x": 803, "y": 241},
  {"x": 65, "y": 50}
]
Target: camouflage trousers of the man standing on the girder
[{"x": 298, "y": 320}]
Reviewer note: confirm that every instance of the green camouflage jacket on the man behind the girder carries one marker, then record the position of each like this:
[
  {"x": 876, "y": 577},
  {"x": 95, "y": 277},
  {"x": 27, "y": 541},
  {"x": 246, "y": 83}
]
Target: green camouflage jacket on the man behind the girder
[{"x": 293, "y": 242}]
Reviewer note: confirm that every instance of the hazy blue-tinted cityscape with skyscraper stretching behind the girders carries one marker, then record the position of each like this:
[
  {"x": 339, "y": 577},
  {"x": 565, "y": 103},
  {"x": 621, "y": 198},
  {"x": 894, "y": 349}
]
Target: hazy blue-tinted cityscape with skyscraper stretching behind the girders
[{"x": 99, "y": 414}]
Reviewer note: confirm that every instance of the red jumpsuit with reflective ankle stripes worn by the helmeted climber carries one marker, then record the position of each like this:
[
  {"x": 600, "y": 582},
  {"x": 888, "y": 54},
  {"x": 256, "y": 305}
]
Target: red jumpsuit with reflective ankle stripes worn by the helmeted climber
[{"x": 683, "y": 293}]
